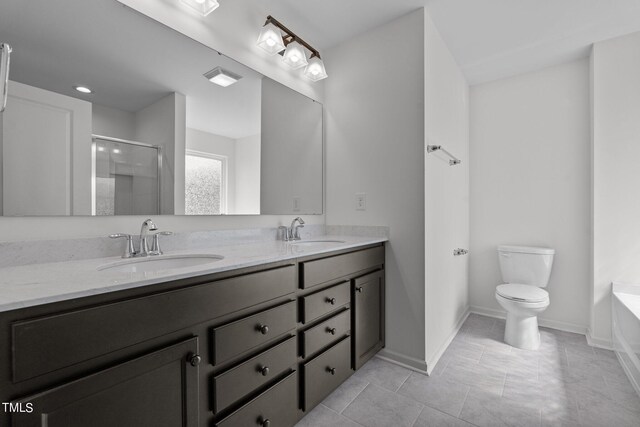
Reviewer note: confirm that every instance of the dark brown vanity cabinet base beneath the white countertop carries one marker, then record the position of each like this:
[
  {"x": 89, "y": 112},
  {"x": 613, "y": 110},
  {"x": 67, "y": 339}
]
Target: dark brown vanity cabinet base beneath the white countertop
[{"x": 259, "y": 345}]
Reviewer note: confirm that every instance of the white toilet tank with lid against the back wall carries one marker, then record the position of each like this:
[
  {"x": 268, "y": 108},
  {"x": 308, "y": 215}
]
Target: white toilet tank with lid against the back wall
[{"x": 526, "y": 265}]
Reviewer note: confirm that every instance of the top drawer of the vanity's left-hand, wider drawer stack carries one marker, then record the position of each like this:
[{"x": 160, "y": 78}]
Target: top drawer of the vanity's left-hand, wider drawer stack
[{"x": 237, "y": 337}]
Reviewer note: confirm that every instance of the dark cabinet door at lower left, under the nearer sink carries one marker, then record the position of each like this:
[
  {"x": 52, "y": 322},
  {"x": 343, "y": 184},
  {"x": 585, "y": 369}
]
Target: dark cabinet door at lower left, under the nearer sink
[{"x": 159, "y": 389}]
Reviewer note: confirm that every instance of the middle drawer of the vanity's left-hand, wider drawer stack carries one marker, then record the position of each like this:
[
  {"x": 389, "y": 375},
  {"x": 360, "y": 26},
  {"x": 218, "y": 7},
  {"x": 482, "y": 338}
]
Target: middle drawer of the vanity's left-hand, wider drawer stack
[{"x": 248, "y": 376}]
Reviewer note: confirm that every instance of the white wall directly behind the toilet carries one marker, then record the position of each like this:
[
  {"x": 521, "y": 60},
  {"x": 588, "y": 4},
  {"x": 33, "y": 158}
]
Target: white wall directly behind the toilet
[{"x": 529, "y": 175}]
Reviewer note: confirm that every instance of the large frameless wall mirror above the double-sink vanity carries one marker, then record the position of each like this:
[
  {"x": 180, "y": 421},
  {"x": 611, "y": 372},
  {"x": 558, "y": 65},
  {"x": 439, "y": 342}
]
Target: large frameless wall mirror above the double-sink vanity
[{"x": 156, "y": 135}]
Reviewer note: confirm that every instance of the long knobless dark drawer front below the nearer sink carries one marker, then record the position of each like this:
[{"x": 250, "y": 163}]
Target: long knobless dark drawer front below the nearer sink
[{"x": 46, "y": 344}]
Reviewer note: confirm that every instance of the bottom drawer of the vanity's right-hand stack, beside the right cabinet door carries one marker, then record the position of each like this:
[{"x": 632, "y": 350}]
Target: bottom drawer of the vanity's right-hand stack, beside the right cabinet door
[{"x": 326, "y": 372}]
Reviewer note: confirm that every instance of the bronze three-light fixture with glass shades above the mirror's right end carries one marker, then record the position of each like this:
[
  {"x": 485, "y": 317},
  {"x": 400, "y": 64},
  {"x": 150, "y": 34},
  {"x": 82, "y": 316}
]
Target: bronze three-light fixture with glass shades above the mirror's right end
[{"x": 276, "y": 38}]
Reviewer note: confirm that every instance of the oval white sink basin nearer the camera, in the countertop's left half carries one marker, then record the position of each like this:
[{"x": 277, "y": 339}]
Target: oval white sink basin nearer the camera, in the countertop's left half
[{"x": 157, "y": 263}]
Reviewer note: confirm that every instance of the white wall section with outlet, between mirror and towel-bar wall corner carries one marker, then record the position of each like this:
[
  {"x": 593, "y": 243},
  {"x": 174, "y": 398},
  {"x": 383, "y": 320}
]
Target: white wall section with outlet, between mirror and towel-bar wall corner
[{"x": 374, "y": 115}]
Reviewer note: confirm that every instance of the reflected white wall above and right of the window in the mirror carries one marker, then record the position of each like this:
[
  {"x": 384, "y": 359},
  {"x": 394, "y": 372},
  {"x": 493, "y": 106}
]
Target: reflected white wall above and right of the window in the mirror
[{"x": 206, "y": 142}]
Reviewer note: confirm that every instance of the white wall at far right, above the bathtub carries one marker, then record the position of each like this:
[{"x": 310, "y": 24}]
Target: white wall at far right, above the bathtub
[{"x": 616, "y": 174}]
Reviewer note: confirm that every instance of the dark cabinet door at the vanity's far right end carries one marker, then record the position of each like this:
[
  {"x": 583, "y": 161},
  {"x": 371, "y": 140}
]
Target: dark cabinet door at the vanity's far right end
[{"x": 368, "y": 317}]
